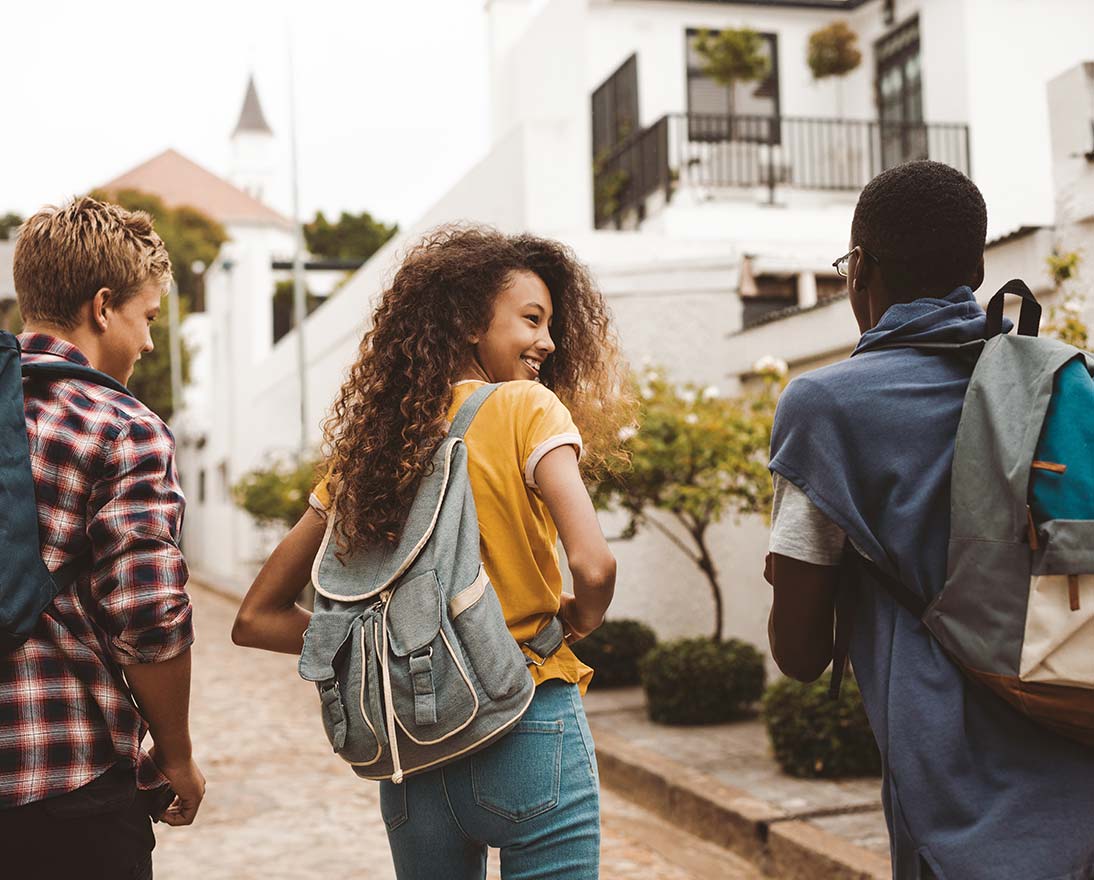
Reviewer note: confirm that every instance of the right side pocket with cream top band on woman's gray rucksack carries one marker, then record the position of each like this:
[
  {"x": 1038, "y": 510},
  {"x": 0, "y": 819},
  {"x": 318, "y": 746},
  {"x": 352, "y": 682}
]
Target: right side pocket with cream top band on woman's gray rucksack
[{"x": 494, "y": 653}]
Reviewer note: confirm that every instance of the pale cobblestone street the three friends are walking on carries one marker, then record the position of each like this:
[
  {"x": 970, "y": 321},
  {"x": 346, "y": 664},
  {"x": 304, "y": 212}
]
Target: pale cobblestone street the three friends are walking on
[{"x": 281, "y": 806}]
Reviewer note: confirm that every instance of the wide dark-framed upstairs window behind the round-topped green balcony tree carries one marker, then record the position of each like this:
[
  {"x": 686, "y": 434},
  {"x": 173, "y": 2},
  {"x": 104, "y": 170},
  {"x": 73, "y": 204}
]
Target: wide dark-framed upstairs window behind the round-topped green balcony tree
[{"x": 709, "y": 103}]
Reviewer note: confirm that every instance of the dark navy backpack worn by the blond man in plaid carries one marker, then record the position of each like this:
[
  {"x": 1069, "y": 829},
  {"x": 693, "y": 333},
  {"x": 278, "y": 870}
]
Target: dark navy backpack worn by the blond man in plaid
[{"x": 27, "y": 586}]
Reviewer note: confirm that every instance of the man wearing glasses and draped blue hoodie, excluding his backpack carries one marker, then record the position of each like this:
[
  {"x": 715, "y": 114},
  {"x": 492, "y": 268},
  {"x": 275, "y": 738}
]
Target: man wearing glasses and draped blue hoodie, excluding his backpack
[{"x": 862, "y": 453}]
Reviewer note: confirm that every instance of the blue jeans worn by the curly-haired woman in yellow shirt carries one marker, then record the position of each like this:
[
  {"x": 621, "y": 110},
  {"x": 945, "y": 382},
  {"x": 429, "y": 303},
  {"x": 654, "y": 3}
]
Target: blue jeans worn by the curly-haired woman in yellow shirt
[{"x": 534, "y": 795}]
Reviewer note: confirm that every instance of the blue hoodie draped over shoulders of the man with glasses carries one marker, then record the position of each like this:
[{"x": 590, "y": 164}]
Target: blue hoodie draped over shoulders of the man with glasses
[{"x": 970, "y": 785}]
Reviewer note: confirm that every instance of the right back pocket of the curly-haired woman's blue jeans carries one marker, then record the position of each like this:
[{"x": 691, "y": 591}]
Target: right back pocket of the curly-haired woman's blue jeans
[{"x": 520, "y": 777}]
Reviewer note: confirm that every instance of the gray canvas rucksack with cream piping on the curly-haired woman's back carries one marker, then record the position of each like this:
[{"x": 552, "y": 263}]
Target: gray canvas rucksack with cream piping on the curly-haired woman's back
[{"x": 408, "y": 644}]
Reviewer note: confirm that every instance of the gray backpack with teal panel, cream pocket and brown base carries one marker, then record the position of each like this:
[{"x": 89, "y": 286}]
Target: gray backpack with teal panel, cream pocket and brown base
[{"x": 1017, "y": 612}]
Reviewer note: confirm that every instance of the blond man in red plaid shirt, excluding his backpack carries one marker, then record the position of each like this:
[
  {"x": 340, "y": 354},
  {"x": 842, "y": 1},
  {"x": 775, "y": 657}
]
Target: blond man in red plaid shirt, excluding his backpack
[{"x": 110, "y": 659}]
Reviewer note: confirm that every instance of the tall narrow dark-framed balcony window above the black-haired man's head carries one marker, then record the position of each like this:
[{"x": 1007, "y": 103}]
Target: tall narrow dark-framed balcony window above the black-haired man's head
[{"x": 901, "y": 97}]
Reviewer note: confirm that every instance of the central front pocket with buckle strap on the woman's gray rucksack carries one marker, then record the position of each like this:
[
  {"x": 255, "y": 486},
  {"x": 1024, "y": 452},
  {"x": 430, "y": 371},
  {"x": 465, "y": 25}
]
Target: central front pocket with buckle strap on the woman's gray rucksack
[{"x": 433, "y": 692}]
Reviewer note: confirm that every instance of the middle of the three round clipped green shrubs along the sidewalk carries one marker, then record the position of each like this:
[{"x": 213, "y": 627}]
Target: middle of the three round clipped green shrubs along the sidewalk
[{"x": 700, "y": 681}]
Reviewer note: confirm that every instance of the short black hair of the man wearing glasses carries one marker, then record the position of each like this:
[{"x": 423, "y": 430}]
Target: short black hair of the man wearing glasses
[{"x": 927, "y": 225}]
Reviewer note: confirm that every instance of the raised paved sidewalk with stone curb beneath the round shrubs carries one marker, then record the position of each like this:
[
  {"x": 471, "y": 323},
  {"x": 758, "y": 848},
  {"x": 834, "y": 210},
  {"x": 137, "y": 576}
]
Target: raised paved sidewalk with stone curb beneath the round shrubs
[{"x": 842, "y": 823}]
